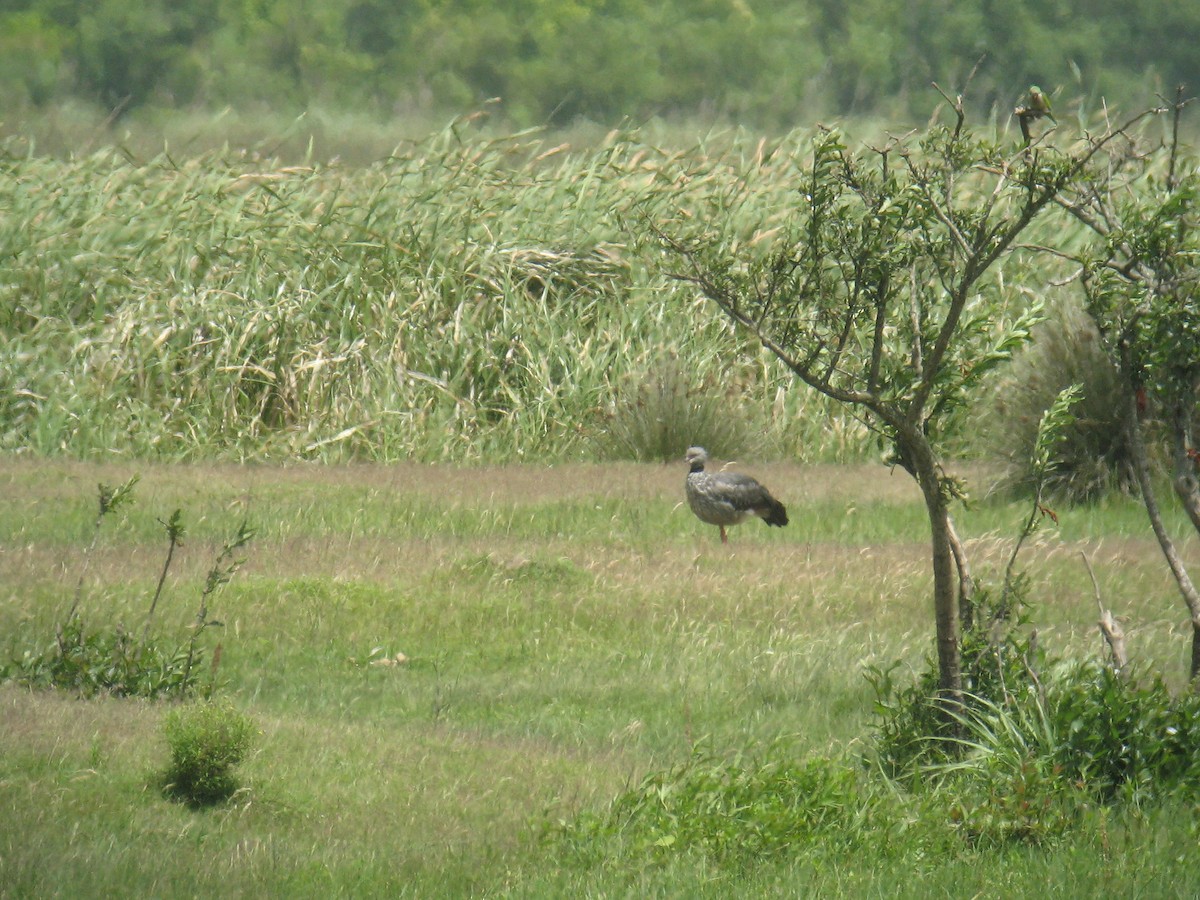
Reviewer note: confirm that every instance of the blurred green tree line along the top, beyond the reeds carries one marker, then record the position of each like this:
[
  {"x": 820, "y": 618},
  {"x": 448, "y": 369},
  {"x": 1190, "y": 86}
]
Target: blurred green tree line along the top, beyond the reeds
[{"x": 769, "y": 63}]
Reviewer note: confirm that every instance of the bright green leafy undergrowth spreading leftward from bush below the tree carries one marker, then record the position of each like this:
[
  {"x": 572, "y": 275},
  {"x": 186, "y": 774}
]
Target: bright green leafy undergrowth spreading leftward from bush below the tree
[{"x": 1027, "y": 771}]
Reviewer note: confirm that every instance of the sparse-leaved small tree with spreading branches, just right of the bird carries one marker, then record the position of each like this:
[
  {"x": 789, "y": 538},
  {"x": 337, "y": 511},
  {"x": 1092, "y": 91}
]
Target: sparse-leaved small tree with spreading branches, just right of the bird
[{"x": 878, "y": 295}]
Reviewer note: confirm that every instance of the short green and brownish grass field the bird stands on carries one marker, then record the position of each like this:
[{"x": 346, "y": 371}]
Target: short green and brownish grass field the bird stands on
[{"x": 565, "y": 632}]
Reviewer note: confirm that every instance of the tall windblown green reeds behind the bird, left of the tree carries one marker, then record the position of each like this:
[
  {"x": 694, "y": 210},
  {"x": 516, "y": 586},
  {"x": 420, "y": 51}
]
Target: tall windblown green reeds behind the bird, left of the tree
[{"x": 465, "y": 299}]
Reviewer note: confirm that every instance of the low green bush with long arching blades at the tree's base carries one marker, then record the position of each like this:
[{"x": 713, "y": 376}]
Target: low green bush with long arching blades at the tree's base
[{"x": 1024, "y": 770}]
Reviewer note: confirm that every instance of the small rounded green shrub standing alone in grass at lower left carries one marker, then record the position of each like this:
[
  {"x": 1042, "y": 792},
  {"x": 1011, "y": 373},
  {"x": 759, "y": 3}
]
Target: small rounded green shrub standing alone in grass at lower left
[{"x": 207, "y": 742}]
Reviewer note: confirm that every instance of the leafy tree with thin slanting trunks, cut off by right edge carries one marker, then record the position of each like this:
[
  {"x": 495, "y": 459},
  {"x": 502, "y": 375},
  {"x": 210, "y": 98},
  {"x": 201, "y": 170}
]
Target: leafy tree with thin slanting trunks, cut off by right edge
[{"x": 1143, "y": 287}]
